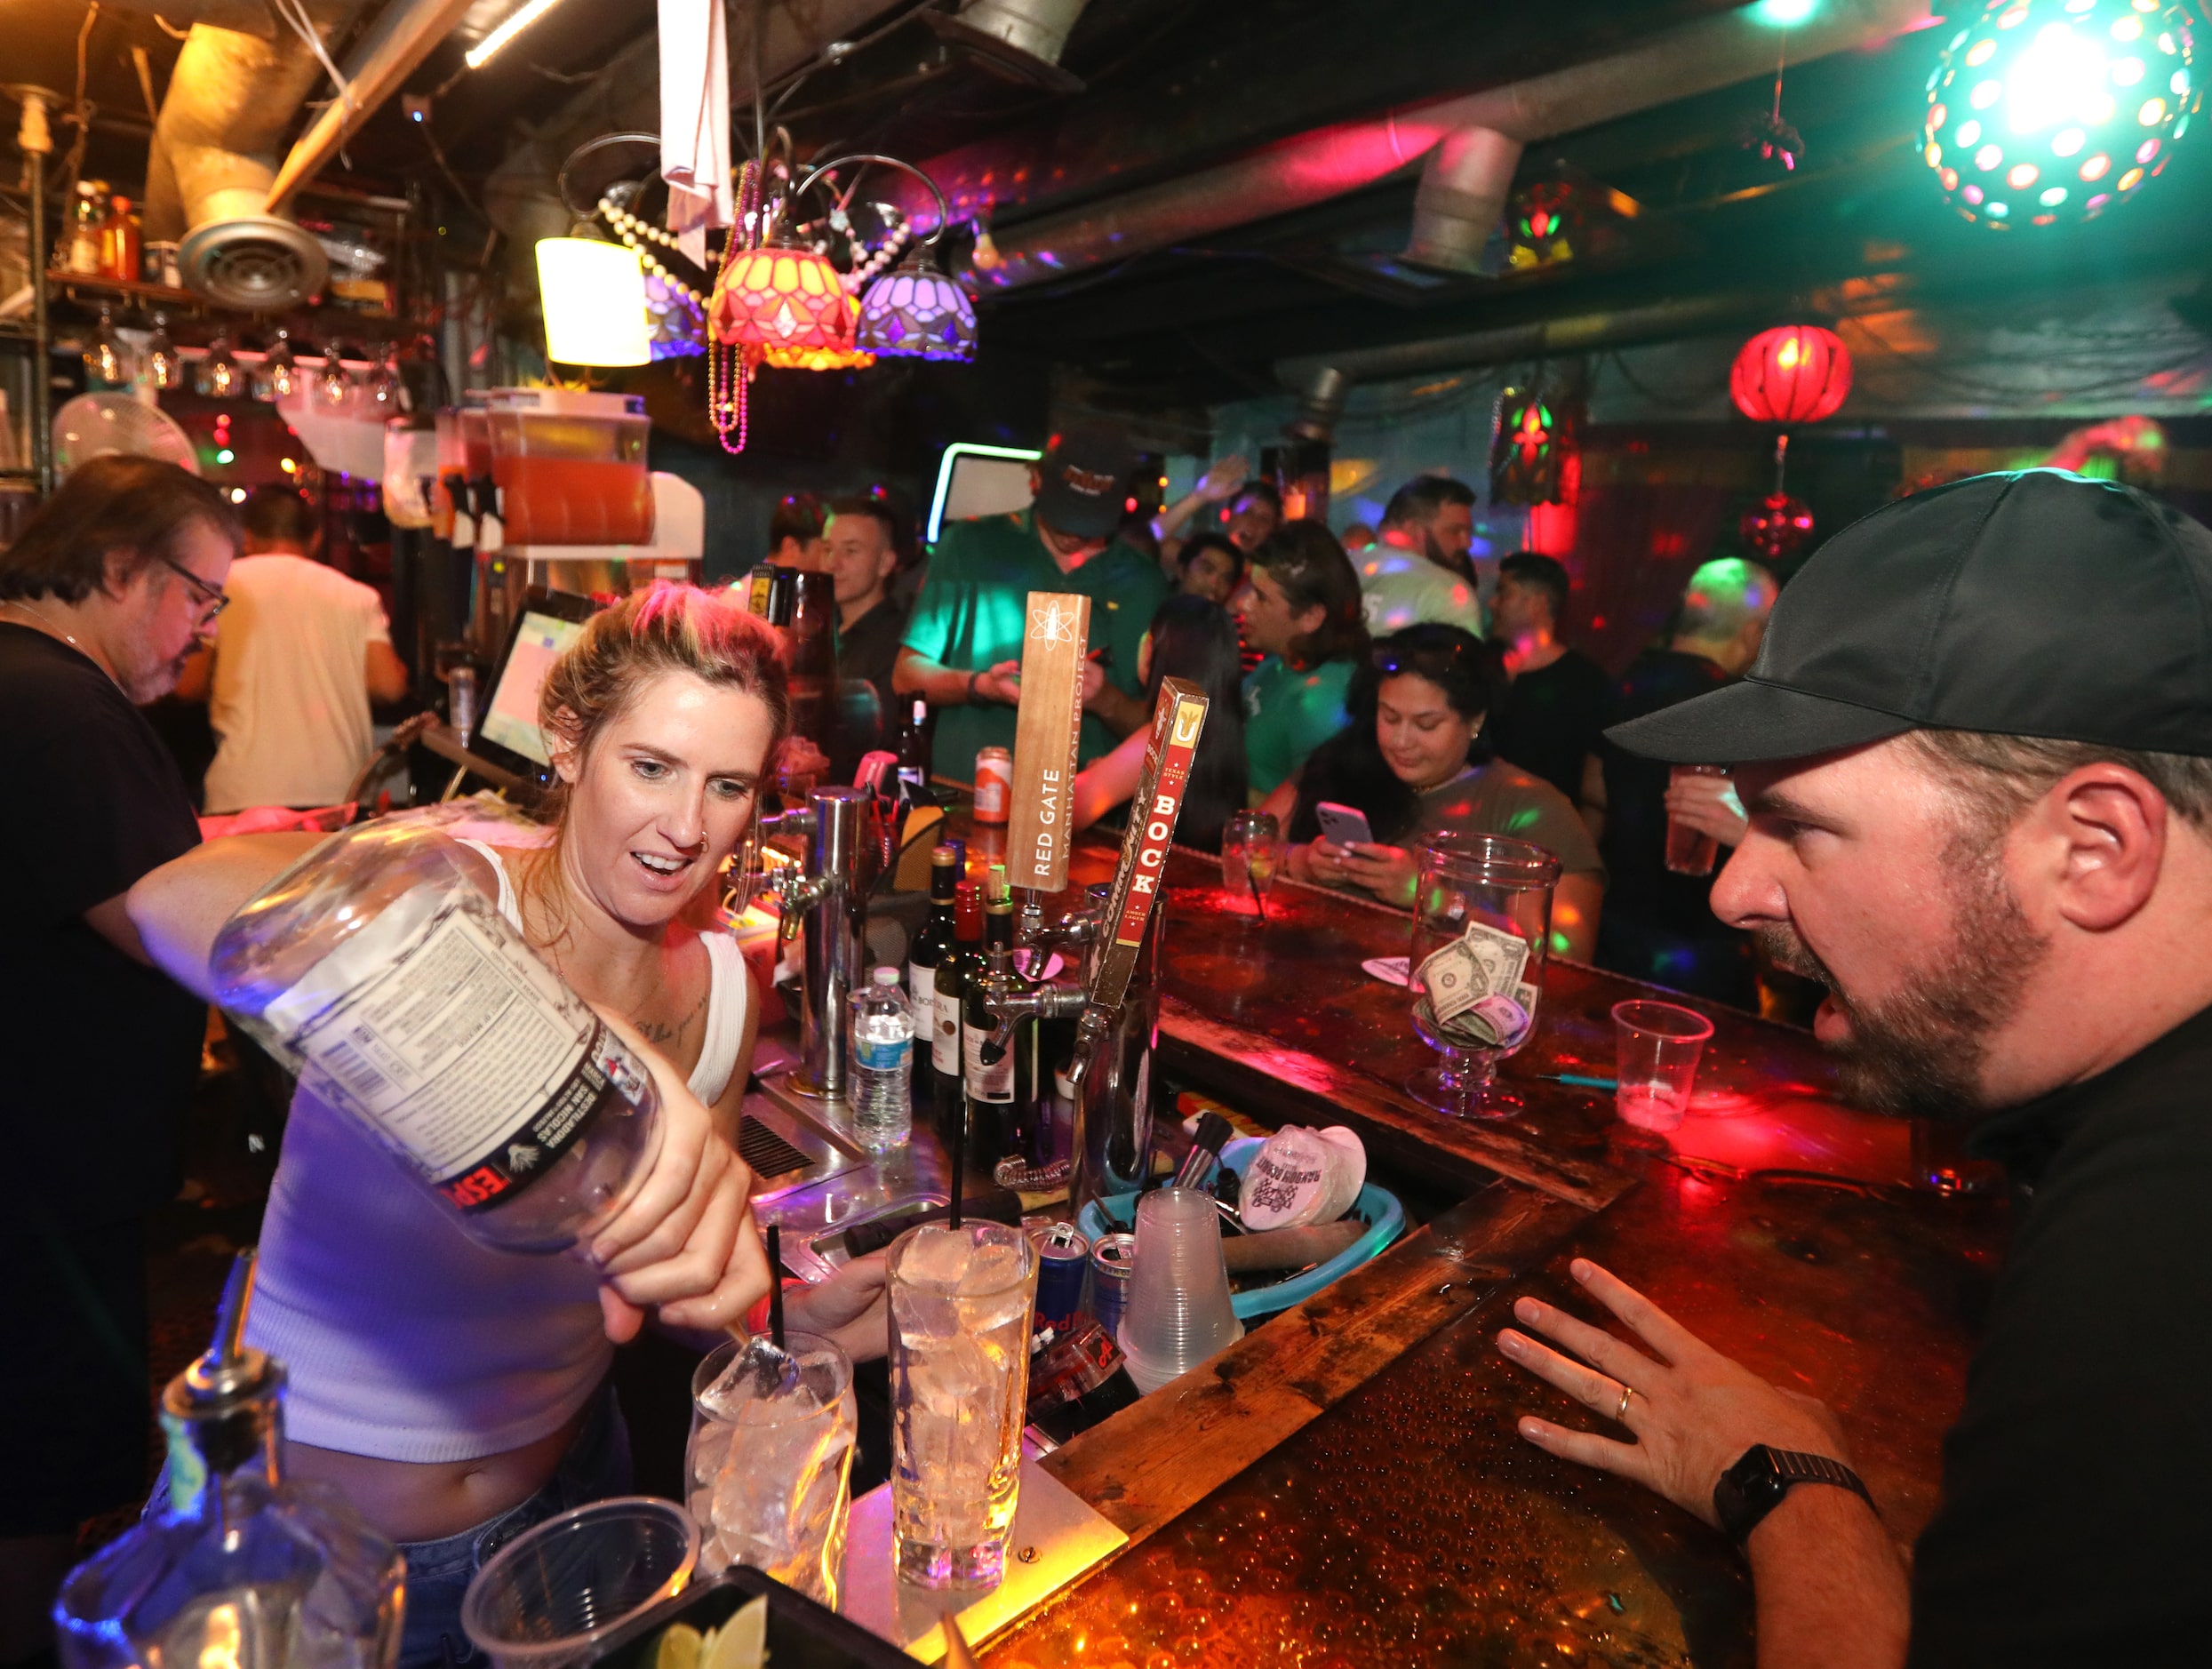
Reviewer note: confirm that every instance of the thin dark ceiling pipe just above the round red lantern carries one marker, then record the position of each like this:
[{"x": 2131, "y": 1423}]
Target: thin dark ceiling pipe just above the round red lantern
[{"x": 1543, "y": 339}]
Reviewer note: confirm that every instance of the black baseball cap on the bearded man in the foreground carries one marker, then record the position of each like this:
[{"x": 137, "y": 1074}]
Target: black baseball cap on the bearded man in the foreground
[{"x": 2027, "y": 605}]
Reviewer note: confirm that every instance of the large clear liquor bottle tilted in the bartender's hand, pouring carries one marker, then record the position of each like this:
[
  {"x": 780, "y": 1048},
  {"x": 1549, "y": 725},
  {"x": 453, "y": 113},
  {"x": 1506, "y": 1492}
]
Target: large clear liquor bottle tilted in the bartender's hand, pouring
[{"x": 399, "y": 994}]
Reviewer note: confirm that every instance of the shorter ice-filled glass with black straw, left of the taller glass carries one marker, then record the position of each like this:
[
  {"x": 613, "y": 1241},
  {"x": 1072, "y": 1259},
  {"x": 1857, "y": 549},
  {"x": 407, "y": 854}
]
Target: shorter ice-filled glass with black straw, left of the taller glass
[{"x": 769, "y": 1467}]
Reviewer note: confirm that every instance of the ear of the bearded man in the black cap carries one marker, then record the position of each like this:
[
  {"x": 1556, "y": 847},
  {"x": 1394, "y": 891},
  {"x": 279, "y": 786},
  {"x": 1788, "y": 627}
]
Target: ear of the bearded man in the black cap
[{"x": 2096, "y": 841}]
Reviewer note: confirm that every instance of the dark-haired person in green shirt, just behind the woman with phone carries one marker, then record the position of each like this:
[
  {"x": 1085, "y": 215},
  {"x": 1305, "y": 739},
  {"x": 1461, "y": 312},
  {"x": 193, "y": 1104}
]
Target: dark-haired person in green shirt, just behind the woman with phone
[{"x": 1306, "y": 620}]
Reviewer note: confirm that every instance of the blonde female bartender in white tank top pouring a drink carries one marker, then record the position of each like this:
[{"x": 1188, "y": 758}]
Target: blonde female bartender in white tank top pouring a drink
[{"x": 459, "y": 1394}]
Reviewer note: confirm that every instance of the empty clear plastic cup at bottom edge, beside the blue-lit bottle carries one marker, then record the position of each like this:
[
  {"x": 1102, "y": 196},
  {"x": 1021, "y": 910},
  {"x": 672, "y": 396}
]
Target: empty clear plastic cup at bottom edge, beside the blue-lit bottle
[{"x": 554, "y": 1593}]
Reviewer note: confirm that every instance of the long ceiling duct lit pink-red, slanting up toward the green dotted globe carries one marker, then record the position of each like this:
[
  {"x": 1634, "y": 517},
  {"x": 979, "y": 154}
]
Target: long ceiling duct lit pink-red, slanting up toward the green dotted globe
[{"x": 1328, "y": 162}]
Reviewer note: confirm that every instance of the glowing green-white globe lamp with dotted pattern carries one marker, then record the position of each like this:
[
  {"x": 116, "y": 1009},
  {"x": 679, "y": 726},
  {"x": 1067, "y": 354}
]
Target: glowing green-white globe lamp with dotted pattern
[{"x": 2047, "y": 112}]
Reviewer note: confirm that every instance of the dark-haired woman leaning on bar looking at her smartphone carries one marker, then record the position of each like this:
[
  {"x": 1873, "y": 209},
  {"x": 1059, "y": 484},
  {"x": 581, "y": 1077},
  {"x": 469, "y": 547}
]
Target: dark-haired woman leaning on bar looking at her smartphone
[{"x": 1410, "y": 768}]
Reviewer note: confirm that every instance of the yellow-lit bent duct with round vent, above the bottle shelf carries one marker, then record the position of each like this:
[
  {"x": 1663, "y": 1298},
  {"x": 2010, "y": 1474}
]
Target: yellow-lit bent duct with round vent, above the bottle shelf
[{"x": 231, "y": 101}]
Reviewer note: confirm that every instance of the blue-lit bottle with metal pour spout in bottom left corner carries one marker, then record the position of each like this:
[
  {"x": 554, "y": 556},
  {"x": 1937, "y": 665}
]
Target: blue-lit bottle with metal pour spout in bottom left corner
[{"x": 242, "y": 1566}]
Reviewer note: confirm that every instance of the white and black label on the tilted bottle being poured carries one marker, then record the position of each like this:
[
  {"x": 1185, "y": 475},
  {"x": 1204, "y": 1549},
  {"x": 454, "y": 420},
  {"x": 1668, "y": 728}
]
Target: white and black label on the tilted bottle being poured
[{"x": 461, "y": 1051}]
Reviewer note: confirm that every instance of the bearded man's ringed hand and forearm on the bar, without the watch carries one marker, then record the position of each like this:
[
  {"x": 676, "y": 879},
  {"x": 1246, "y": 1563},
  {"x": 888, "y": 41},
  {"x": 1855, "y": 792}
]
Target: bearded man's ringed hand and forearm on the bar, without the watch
[{"x": 1830, "y": 1584}]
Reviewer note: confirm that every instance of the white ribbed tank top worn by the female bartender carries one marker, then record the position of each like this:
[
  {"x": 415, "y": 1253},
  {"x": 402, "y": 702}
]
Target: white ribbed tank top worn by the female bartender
[{"x": 404, "y": 1339}]
